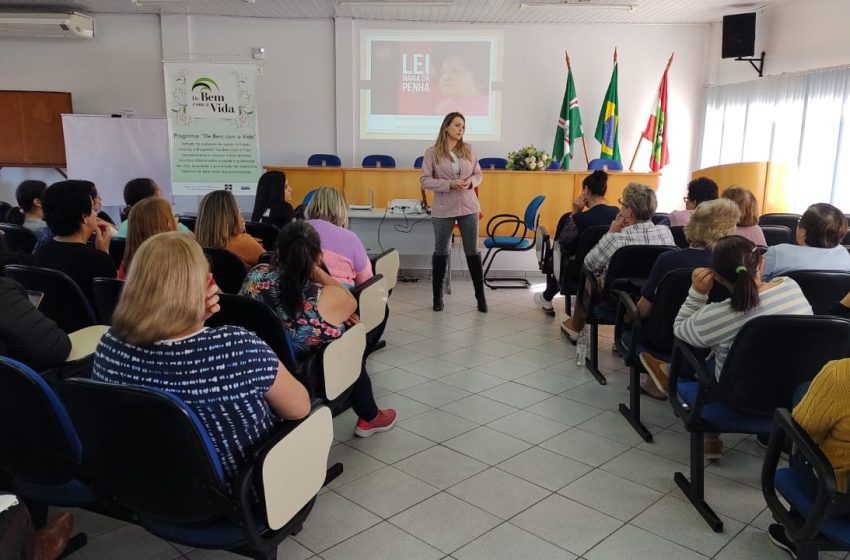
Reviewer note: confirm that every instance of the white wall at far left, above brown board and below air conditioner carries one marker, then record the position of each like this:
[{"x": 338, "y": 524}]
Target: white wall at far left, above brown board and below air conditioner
[{"x": 119, "y": 69}]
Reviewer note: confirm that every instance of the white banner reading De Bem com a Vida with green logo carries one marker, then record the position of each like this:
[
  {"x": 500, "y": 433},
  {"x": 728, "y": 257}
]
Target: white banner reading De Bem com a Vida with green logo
[{"x": 212, "y": 127}]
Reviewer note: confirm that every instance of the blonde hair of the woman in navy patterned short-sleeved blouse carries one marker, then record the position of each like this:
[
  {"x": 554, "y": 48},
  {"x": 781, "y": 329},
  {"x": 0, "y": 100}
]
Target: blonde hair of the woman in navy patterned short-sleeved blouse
[{"x": 165, "y": 291}]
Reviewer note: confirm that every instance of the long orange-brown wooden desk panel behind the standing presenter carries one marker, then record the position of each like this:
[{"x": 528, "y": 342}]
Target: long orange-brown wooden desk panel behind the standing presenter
[{"x": 502, "y": 192}]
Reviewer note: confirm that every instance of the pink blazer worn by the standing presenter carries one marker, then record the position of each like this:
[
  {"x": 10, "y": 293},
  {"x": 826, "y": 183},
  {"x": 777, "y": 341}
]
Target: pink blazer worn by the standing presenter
[{"x": 437, "y": 176}]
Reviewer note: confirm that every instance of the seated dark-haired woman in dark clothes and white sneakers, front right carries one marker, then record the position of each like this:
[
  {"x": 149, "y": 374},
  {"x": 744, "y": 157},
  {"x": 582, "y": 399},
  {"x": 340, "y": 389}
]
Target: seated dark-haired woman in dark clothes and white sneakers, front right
[{"x": 592, "y": 197}]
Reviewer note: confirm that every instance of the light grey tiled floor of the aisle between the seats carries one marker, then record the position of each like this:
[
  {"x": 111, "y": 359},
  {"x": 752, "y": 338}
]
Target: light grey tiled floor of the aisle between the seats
[{"x": 504, "y": 449}]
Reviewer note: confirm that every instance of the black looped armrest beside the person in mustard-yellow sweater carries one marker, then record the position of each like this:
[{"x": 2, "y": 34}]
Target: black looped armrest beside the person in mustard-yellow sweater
[{"x": 808, "y": 527}]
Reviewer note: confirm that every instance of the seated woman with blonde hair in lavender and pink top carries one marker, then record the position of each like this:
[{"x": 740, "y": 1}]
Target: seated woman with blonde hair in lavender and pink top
[{"x": 342, "y": 251}]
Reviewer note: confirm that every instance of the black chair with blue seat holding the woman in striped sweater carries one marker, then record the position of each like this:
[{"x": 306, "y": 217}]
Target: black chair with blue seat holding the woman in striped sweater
[{"x": 761, "y": 372}]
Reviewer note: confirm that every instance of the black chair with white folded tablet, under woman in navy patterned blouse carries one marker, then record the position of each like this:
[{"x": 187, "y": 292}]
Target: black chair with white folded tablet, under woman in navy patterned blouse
[{"x": 149, "y": 453}]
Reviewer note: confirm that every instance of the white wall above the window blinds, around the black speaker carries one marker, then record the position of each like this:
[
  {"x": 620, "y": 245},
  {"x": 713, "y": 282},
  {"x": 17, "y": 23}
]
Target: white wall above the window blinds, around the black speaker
[{"x": 797, "y": 35}]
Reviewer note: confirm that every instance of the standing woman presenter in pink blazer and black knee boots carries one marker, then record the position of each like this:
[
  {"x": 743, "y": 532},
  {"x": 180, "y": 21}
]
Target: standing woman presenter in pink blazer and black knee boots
[{"x": 450, "y": 169}]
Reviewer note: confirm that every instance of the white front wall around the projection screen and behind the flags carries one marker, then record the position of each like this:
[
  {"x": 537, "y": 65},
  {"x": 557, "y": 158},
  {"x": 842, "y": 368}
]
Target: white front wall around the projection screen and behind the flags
[{"x": 534, "y": 76}]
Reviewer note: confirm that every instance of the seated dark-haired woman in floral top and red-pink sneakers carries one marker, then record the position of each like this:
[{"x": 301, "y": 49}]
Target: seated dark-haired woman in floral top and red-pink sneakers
[{"x": 315, "y": 309}]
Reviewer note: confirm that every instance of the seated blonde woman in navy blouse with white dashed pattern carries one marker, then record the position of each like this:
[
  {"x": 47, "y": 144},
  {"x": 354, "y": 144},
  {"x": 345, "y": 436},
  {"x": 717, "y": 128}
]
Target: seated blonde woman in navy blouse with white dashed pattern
[{"x": 229, "y": 377}]
